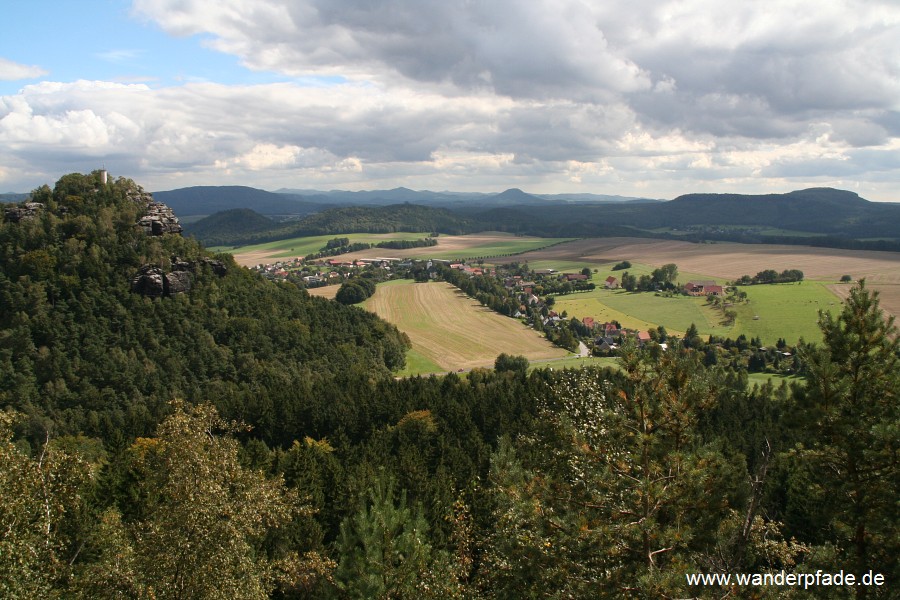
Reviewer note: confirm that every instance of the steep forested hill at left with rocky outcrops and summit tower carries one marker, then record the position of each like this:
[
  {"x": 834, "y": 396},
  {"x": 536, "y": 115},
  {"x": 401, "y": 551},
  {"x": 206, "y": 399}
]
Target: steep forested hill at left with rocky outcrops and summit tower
[{"x": 86, "y": 348}]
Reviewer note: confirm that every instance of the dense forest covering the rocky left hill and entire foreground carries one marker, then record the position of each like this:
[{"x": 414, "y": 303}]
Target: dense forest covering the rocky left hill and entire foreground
[{"x": 234, "y": 437}]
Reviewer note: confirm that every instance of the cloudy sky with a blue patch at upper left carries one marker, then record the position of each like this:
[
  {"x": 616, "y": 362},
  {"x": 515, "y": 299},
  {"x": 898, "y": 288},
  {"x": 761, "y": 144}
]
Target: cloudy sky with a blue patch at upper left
[{"x": 650, "y": 98}]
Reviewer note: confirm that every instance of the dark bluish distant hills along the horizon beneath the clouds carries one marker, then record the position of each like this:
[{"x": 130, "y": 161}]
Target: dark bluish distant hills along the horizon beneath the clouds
[{"x": 838, "y": 218}]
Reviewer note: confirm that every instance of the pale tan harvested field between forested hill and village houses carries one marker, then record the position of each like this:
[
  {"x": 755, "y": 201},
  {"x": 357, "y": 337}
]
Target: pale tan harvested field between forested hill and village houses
[{"x": 450, "y": 331}]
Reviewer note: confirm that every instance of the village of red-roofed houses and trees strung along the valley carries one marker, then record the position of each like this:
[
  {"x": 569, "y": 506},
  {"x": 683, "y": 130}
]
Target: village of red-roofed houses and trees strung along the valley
[{"x": 529, "y": 295}]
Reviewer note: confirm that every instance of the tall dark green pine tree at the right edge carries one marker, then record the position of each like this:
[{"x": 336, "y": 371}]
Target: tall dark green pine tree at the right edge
[{"x": 854, "y": 411}]
